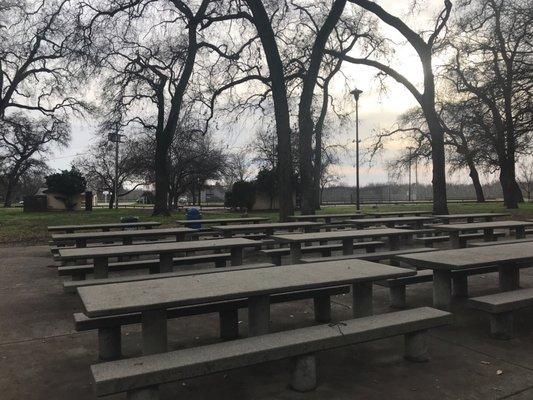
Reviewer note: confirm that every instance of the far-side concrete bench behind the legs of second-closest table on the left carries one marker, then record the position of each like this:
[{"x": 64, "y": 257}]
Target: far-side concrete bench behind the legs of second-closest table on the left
[{"x": 78, "y": 272}]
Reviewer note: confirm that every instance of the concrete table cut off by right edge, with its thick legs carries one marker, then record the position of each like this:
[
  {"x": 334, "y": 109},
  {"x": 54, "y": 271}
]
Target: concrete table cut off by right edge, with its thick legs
[{"x": 506, "y": 256}]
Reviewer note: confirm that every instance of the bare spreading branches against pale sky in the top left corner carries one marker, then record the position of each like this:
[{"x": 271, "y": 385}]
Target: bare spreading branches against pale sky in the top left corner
[{"x": 38, "y": 67}]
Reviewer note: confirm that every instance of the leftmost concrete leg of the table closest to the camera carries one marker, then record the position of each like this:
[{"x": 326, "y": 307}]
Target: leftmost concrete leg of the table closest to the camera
[{"x": 154, "y": 331}]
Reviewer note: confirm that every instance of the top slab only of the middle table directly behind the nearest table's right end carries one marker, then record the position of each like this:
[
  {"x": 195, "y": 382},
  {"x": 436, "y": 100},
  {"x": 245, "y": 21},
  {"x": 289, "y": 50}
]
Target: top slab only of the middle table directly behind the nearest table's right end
[{"x": 341, "y": 234}]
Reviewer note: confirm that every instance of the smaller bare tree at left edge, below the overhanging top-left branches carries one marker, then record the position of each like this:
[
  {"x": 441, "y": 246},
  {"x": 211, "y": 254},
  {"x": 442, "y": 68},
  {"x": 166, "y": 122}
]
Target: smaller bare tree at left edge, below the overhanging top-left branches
[{"x": 24, "y": 142}]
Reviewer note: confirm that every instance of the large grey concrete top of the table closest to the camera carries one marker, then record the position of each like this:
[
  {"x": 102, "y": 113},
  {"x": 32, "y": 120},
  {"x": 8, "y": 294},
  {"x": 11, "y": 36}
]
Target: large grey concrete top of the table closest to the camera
[{"x": 164, "y": 293}]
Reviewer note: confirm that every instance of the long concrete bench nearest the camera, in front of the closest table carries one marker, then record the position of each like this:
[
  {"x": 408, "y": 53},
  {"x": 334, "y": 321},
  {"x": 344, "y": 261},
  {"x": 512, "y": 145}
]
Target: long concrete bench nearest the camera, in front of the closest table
[{"x": 141, "y": 376}]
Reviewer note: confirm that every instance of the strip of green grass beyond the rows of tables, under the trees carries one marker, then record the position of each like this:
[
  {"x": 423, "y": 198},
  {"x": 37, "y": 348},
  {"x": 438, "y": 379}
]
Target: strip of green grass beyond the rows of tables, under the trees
[{"x": 18, "y": 228}]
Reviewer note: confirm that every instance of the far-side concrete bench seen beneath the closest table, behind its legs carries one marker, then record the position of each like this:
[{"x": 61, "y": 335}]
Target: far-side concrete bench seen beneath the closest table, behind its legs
[{"x": 109, "y": 328}]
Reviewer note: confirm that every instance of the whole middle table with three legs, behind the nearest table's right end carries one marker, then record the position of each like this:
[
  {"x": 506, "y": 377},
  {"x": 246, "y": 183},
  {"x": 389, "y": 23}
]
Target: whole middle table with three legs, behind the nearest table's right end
[{"x": 346, "y": 236}]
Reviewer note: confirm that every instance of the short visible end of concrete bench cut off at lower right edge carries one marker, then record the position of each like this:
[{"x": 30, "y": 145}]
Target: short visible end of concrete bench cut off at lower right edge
[{"x": 500, "y": 306}]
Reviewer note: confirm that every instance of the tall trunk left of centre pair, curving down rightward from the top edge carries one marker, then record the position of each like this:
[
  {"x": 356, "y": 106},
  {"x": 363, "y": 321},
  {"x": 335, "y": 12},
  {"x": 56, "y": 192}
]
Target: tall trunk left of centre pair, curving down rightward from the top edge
[{"x": 281, "y": 107}]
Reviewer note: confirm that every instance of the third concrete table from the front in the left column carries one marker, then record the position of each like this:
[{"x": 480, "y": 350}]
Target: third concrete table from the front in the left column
[{"x": 81, "y": 238}]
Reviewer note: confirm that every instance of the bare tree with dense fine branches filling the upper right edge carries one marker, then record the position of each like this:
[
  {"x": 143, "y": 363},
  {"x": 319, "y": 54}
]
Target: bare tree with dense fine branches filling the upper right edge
[{"x": 492, "y": 68}]
